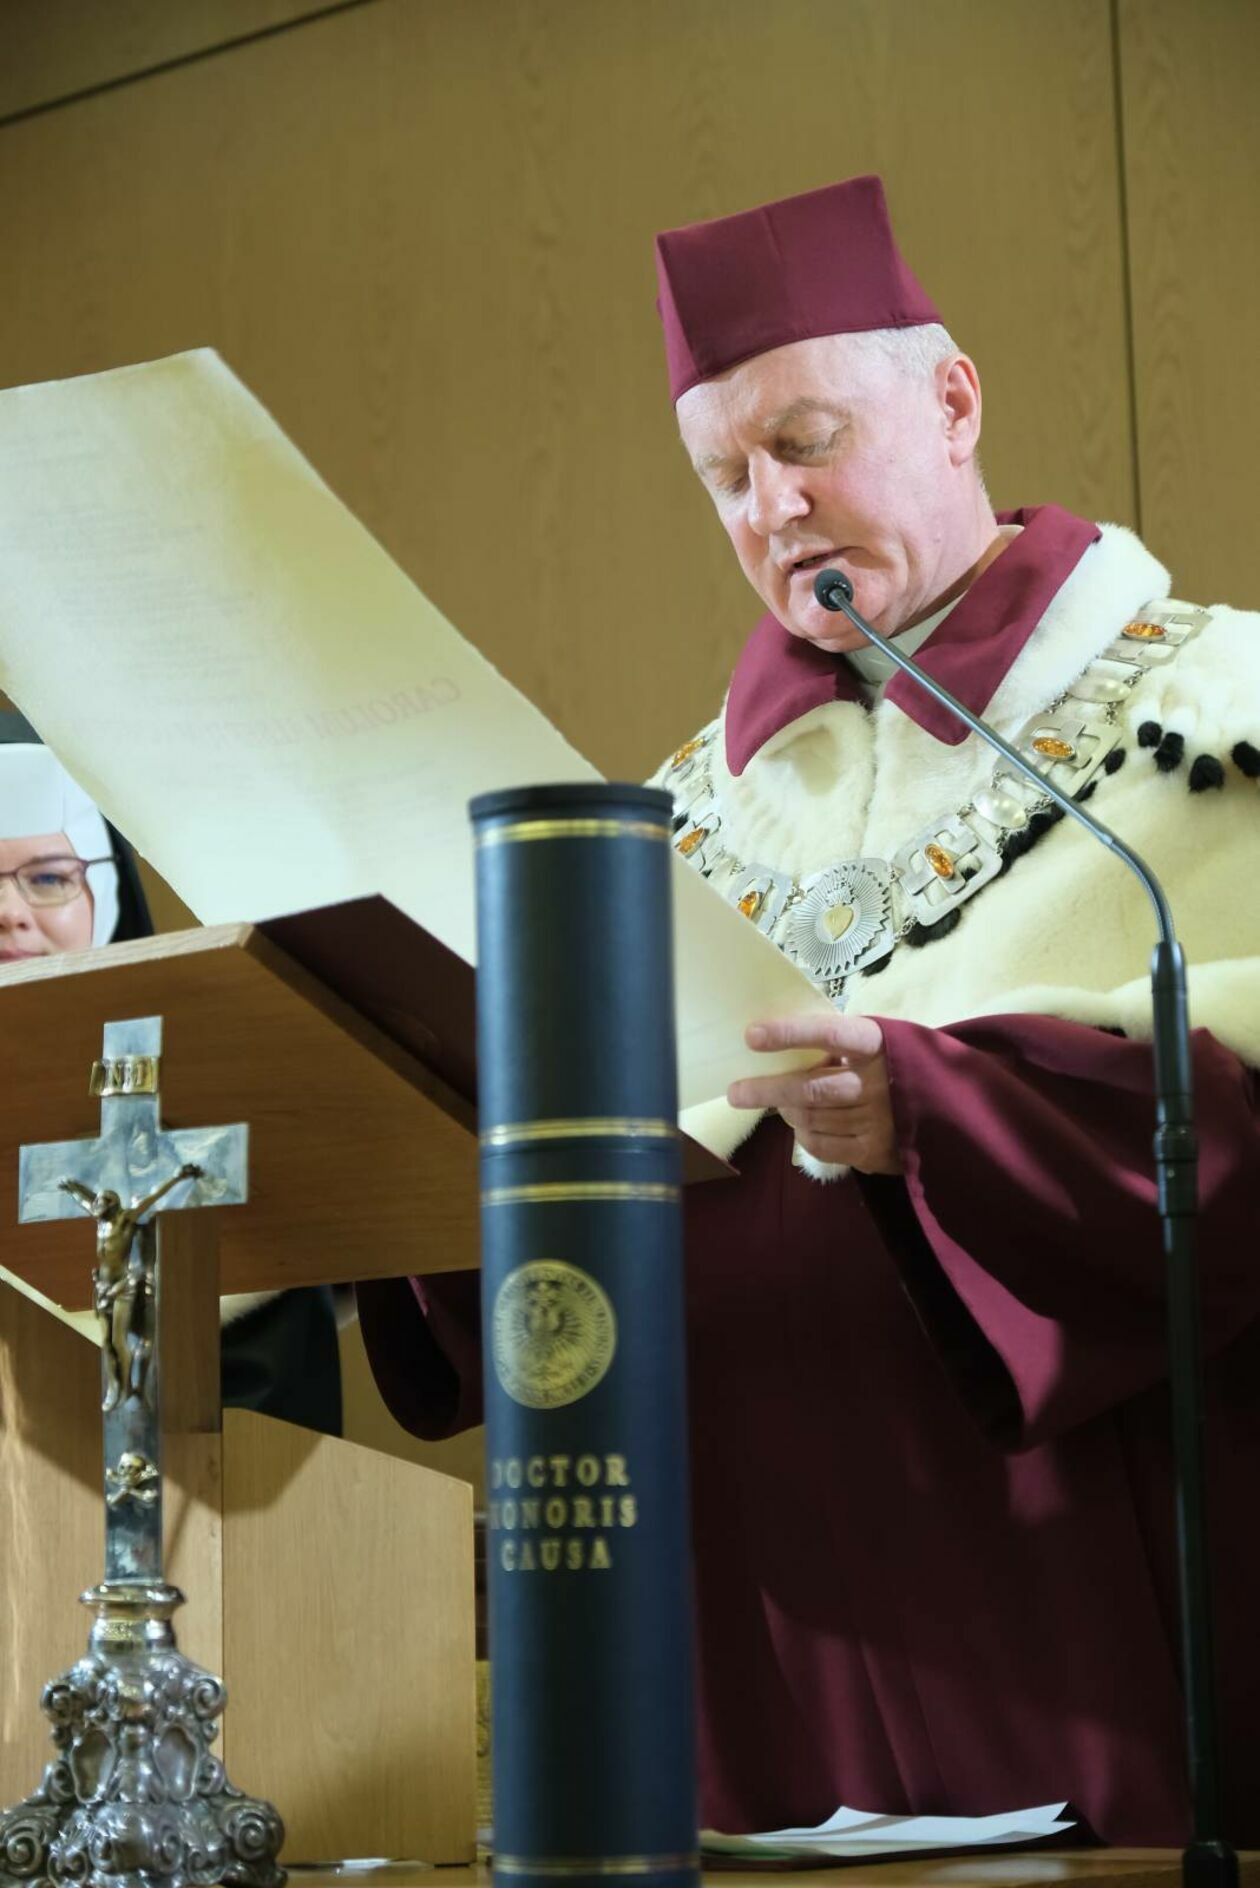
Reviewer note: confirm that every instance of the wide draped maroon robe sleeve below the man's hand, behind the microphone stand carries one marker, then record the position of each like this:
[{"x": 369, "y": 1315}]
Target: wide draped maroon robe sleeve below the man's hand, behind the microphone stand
[{"x": 1027, "y": 1224}]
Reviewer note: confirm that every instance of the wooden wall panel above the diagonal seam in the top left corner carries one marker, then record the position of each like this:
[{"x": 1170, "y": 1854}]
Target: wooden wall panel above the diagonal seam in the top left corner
[{"x": 58, "y": 48}]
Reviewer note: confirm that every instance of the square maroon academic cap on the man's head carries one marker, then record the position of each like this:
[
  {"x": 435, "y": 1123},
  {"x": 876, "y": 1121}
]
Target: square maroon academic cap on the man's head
[{"x": 823, "y": 263}]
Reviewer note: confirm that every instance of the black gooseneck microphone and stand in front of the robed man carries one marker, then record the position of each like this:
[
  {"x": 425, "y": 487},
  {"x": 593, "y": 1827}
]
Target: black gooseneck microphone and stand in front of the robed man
[{"x": 1210, "y": 1863}]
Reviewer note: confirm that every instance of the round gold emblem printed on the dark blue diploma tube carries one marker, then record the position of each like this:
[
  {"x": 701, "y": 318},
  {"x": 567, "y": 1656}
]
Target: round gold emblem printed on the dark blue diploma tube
[{"x": 554, "y": 1334}]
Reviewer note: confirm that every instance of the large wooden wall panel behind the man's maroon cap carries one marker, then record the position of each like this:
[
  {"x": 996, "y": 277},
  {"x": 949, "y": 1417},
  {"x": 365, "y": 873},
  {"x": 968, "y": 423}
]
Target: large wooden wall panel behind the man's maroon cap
[{"x": 422, "y": 235}]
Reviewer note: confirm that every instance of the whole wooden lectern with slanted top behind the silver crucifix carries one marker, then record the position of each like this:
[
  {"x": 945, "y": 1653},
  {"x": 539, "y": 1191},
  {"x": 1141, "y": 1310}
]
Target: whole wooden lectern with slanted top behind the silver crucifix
[{"x": 328, "y": 1585}]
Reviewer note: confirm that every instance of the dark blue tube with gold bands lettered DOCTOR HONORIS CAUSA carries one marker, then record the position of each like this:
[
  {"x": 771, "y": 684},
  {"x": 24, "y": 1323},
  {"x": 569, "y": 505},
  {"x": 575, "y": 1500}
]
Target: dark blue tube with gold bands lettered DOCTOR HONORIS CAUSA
[{"x": 583, "y": 1323}]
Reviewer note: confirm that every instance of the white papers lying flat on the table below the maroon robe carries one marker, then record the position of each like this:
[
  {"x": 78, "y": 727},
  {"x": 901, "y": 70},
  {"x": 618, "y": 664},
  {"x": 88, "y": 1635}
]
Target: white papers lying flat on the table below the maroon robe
[{"x": 857, "y": 1832}]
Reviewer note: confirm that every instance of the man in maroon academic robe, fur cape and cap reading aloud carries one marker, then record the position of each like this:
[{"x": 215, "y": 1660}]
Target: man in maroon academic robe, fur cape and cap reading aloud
[{"x": 928, "y": 1375}]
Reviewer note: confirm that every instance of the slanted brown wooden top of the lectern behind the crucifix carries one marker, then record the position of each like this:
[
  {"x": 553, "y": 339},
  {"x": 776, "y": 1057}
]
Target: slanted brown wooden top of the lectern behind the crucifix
[{"x": 362, "y": 1156}]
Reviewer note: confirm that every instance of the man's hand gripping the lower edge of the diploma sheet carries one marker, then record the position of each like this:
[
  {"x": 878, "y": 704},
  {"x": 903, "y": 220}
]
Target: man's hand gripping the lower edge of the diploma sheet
[{"x": 842, "y": 1111}]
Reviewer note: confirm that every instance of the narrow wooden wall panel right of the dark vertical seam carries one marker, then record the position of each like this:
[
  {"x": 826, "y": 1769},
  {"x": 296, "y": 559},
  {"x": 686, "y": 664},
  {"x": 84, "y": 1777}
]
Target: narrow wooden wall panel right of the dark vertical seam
[{"x": 1193, "y": 167}]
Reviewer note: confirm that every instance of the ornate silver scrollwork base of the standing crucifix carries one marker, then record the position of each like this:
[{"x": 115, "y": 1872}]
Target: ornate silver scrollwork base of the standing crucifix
[{"x": 135, "y": 1795}]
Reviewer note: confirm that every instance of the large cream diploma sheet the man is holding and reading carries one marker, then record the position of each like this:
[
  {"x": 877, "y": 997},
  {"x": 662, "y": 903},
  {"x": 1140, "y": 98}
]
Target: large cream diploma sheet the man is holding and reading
[{"x": 265, "y": 703}]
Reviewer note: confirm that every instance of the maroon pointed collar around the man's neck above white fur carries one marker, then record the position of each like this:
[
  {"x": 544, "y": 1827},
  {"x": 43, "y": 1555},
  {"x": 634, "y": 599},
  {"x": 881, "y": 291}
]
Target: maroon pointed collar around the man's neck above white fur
[{"x": 781, "y": 679}]
